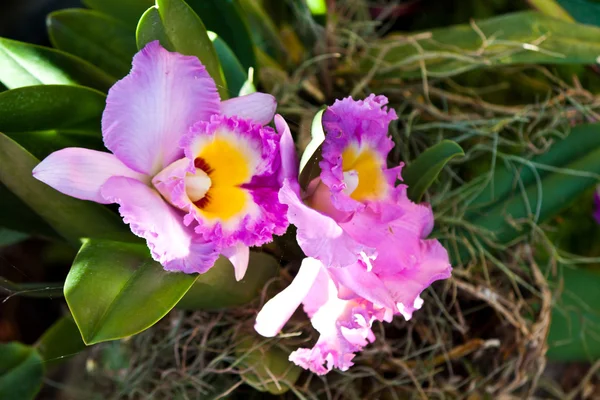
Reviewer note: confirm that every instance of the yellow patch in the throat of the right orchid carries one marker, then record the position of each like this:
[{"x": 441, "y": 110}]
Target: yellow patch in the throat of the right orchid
[{"x": 369, "y": 167}]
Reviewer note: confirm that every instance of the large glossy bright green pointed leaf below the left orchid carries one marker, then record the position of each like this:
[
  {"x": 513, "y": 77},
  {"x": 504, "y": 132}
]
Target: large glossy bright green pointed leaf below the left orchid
[{"x": 115, "y": 290}]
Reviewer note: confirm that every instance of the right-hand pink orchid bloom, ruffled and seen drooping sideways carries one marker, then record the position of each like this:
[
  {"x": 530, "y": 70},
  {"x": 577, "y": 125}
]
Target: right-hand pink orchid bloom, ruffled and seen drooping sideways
[{"x": 362, "y": 228}]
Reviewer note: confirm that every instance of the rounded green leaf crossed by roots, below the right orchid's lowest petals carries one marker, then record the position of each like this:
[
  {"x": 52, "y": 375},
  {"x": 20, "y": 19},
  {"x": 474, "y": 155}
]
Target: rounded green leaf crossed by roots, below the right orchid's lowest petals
[{"x": 266, "y": 367}]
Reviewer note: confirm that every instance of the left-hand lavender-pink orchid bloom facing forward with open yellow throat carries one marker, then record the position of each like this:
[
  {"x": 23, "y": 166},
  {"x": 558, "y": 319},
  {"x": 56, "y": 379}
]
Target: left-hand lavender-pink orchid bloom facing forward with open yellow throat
[{"x": 195, "y": 176}]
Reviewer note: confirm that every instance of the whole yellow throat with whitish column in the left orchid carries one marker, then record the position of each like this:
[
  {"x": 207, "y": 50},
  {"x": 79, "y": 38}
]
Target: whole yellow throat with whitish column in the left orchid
[{"x": 222, "y": 167}]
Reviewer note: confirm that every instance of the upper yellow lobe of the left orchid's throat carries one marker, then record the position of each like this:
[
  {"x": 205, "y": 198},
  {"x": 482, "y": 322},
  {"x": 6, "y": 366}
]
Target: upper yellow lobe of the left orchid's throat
[{"x": 229, "y": 165}]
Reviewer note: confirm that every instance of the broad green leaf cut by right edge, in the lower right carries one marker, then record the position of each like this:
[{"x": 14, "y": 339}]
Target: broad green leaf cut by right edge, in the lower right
[{"x": 575, "y": 329}]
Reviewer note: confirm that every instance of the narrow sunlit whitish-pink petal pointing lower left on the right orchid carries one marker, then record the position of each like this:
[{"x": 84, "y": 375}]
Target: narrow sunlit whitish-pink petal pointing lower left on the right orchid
[{"x": 277, "y": 311}]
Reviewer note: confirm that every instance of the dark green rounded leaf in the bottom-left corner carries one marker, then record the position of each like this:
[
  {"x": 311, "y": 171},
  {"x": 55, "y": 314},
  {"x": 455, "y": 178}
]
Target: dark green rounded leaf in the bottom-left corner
[{"x": 21, "y": 371}]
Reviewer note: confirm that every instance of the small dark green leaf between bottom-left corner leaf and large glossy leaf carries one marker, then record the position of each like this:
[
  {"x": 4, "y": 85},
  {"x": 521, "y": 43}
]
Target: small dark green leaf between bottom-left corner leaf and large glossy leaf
[{"x": 60, "y": 342}]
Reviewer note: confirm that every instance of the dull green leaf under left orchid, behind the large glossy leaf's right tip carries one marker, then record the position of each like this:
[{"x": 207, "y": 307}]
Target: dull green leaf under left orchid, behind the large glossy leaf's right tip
[{"x": 218, "y": 288}]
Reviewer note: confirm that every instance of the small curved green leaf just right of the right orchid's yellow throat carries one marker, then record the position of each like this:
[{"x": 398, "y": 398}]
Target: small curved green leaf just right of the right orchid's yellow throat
[{"x": 422, "y": 172}]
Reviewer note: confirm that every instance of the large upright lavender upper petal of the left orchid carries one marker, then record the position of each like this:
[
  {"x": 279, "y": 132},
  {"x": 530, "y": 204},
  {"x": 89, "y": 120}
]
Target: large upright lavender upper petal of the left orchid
[{"x": 149, "y": 110}]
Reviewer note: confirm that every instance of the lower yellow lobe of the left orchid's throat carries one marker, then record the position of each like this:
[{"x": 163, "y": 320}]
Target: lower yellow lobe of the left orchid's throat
[{"x": 225, "y": 203}]
